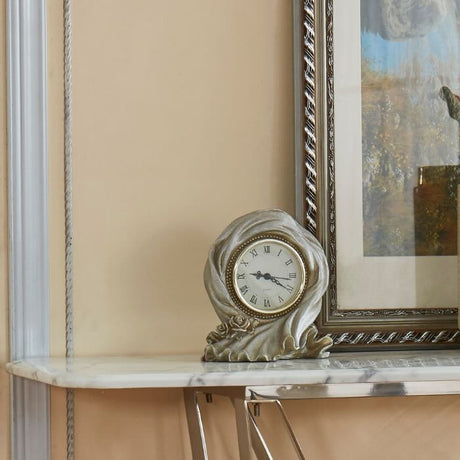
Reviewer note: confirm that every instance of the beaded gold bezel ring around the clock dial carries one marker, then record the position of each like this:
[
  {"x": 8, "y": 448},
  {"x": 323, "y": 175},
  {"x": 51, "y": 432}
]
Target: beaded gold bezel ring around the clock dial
[{"x": 230, "y": 277}]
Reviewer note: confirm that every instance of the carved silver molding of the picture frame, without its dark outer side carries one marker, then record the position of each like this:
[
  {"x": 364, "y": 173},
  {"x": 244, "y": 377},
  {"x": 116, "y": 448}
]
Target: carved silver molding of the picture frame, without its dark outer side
[{"x": 320, "y": 213}]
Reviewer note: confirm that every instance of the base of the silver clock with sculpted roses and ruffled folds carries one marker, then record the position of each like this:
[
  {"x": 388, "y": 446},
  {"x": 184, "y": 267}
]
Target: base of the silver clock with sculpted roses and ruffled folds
[{"x": 245, "y": 339}]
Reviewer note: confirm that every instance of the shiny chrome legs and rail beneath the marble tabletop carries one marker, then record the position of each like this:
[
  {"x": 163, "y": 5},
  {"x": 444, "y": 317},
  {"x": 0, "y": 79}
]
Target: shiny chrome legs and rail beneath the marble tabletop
[{"x": 248, "y": 400}]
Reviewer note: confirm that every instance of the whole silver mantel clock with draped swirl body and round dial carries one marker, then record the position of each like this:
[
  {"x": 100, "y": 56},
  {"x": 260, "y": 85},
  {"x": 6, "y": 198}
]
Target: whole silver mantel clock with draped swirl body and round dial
[{"x": 265, "y": 276}]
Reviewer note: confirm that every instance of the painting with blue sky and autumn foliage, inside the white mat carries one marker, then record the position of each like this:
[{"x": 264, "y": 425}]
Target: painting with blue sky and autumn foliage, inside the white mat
[{"x": 409, "y": 62}]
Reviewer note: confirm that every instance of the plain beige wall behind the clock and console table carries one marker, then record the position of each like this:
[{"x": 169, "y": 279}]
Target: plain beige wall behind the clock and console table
[{"x": 182, "y": 121}]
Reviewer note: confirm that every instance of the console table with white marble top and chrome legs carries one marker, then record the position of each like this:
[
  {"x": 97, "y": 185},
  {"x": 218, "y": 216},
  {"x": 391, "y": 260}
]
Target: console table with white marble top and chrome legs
[{"x": 344, "y": 375}]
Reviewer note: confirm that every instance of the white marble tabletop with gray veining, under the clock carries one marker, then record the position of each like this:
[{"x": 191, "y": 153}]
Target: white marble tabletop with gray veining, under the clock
[{"x": 189, "y": 371}]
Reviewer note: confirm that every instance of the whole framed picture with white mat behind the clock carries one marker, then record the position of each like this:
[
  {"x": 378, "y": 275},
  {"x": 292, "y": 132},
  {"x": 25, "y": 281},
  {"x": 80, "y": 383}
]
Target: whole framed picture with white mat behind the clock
[{"x": 377, "y": 147}]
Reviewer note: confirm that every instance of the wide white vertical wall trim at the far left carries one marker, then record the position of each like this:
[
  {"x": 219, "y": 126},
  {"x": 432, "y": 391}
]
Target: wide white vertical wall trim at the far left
[{"x": 28, "y": 221}]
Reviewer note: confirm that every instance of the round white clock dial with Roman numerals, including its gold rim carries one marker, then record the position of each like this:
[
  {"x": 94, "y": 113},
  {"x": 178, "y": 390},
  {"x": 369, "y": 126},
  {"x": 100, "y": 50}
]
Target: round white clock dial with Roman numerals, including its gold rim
[{"x": 268, "y": 277}]
